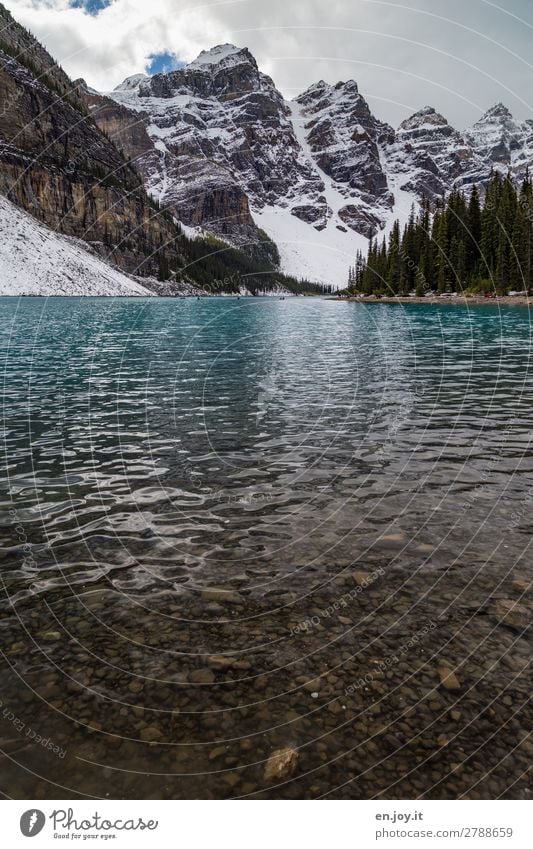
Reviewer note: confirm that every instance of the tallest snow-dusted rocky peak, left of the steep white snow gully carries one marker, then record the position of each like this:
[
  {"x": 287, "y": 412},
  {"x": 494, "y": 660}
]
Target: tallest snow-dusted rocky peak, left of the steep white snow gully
[{"x": 222, "y": 144}]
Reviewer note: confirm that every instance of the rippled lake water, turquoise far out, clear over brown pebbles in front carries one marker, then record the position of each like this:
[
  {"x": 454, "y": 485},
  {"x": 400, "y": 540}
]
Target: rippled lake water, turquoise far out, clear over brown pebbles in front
[{"x": 194, "y": 496}]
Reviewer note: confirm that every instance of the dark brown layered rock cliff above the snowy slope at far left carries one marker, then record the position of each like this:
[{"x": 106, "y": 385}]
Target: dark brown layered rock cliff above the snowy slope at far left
[{"x": 56, "y": 164}]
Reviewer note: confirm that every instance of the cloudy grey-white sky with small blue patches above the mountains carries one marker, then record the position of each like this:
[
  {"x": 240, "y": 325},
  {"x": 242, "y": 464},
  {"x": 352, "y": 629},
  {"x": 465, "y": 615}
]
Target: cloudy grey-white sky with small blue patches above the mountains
[{"x": 461, "y": 56}]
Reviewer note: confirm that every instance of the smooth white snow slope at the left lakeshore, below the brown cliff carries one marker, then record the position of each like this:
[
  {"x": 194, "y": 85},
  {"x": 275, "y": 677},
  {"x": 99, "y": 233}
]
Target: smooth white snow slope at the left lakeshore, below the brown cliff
[{"x": 36, "y": 261}]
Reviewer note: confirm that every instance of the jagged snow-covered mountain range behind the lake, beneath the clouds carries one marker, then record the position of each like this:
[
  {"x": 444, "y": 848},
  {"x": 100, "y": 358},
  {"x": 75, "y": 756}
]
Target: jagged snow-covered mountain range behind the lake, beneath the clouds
[{"x": 217, "y": 144}]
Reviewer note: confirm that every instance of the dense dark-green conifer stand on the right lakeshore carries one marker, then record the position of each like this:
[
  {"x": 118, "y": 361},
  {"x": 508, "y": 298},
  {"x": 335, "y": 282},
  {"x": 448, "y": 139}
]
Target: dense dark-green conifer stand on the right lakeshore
[{"x": 461, "y": 244}]
